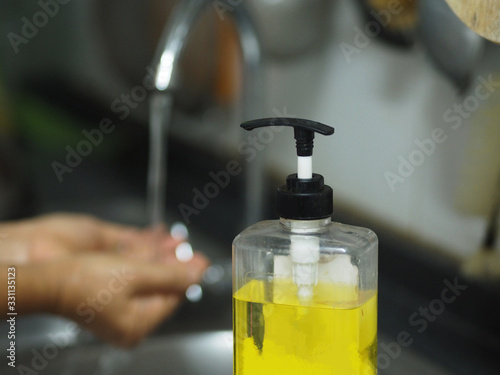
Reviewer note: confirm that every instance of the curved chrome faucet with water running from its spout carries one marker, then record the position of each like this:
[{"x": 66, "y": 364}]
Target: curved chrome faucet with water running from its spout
[{"x": 167, "y": 61}]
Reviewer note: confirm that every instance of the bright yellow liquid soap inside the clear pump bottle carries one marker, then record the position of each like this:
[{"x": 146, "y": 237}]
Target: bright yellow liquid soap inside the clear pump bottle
[{"x": 336, "y": 333}]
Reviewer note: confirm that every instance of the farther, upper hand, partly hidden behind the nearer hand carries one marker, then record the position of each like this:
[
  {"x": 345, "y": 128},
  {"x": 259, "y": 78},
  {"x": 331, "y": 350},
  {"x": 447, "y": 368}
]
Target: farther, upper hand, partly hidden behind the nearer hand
[{"x": 55, "y": 235}]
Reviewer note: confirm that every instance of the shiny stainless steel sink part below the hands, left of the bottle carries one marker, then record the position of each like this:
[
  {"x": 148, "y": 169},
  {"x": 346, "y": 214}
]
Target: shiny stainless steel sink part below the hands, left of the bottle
[{"x": 208, "y": 353}]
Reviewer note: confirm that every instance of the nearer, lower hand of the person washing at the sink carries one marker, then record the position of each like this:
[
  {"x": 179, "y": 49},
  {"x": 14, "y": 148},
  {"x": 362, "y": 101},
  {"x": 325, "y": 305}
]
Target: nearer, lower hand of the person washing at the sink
[{"x": 120, "y": 300}]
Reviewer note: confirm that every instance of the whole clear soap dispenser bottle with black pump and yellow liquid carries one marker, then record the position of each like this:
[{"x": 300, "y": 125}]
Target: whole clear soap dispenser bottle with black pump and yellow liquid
[{"x": 304, "y": 287}]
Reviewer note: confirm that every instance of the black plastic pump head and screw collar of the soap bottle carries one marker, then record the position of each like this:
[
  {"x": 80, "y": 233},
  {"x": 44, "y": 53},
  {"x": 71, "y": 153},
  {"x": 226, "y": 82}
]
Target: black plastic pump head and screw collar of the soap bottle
[{"x": 301, "y": 198}]
